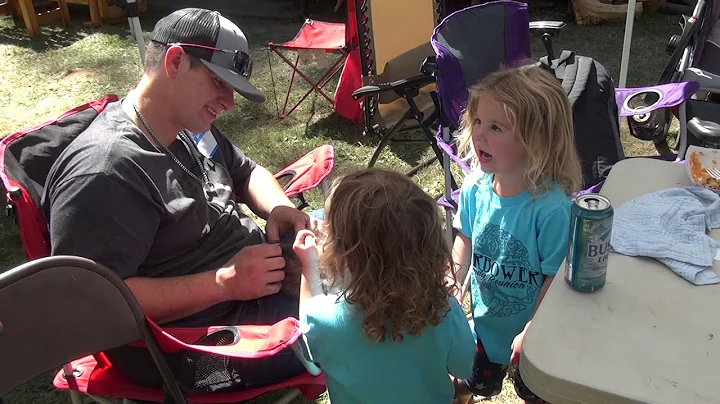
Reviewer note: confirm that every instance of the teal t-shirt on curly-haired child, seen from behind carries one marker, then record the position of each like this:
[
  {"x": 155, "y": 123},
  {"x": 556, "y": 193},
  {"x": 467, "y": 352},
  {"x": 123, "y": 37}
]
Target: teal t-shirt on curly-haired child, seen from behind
[{"x": 414, "y": 370}]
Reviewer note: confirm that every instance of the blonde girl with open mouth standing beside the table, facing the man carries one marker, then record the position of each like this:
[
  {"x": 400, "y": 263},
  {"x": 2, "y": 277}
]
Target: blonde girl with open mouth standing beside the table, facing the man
[{"x": 513, "y": 213}]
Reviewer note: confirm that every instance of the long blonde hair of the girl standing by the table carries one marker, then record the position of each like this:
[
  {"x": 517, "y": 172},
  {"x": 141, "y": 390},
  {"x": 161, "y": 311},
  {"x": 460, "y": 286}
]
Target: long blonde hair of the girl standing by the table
[{"x": 540, "y": 114}]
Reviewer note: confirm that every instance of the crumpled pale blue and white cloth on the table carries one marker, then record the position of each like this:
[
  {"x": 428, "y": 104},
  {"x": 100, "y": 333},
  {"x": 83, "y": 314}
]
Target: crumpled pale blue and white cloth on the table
[{"x": 671, "y": 225}]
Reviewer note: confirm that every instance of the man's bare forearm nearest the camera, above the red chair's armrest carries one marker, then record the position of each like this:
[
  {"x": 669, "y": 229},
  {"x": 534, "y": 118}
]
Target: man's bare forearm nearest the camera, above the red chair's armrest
[{"x": 168, "y": 299}]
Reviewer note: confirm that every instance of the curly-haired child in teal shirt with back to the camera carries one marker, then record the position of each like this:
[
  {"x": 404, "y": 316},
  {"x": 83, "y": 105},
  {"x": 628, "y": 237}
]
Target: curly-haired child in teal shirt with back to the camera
[{"x": 389, "y": 329}]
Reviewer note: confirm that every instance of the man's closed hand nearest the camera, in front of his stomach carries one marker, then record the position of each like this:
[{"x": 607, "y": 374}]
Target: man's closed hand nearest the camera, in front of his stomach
[{"x": 255, "y": 271}]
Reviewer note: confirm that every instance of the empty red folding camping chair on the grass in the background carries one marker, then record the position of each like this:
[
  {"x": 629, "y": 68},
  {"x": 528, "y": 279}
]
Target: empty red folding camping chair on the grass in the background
[{"x": 317, "y": 36}]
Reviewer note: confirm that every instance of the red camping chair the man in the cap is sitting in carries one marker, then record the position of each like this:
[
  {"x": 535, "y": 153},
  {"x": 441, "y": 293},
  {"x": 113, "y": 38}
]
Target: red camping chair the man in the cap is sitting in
[{"x": 25, "y": 160}]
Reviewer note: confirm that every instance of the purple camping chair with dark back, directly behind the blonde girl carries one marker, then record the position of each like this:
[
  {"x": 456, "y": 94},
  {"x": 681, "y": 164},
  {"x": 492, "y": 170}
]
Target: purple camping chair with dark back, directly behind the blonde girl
[{"x": 461, "y": 61}]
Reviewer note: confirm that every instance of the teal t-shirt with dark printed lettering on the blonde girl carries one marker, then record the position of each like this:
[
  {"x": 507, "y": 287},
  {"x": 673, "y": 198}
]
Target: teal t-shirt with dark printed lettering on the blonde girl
[{"x": 516, "y": 242}]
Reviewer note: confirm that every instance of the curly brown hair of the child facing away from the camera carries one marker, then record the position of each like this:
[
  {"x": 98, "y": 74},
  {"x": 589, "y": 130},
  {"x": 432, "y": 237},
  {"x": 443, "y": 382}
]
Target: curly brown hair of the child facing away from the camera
[{"x": 388, "y": 234}]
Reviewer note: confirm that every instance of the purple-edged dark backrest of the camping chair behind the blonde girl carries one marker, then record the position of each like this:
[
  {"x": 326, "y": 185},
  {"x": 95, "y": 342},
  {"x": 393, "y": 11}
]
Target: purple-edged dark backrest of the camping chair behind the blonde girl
[{"x": 473, "y": 42}]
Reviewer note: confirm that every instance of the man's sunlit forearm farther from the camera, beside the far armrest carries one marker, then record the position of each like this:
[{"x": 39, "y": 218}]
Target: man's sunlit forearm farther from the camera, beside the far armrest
[{"x": 263, "y": 193}]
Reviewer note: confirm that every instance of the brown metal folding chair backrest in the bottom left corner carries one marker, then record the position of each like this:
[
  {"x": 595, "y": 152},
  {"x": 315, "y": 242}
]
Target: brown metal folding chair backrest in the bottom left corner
[{"x": 58, "y": 309}]
